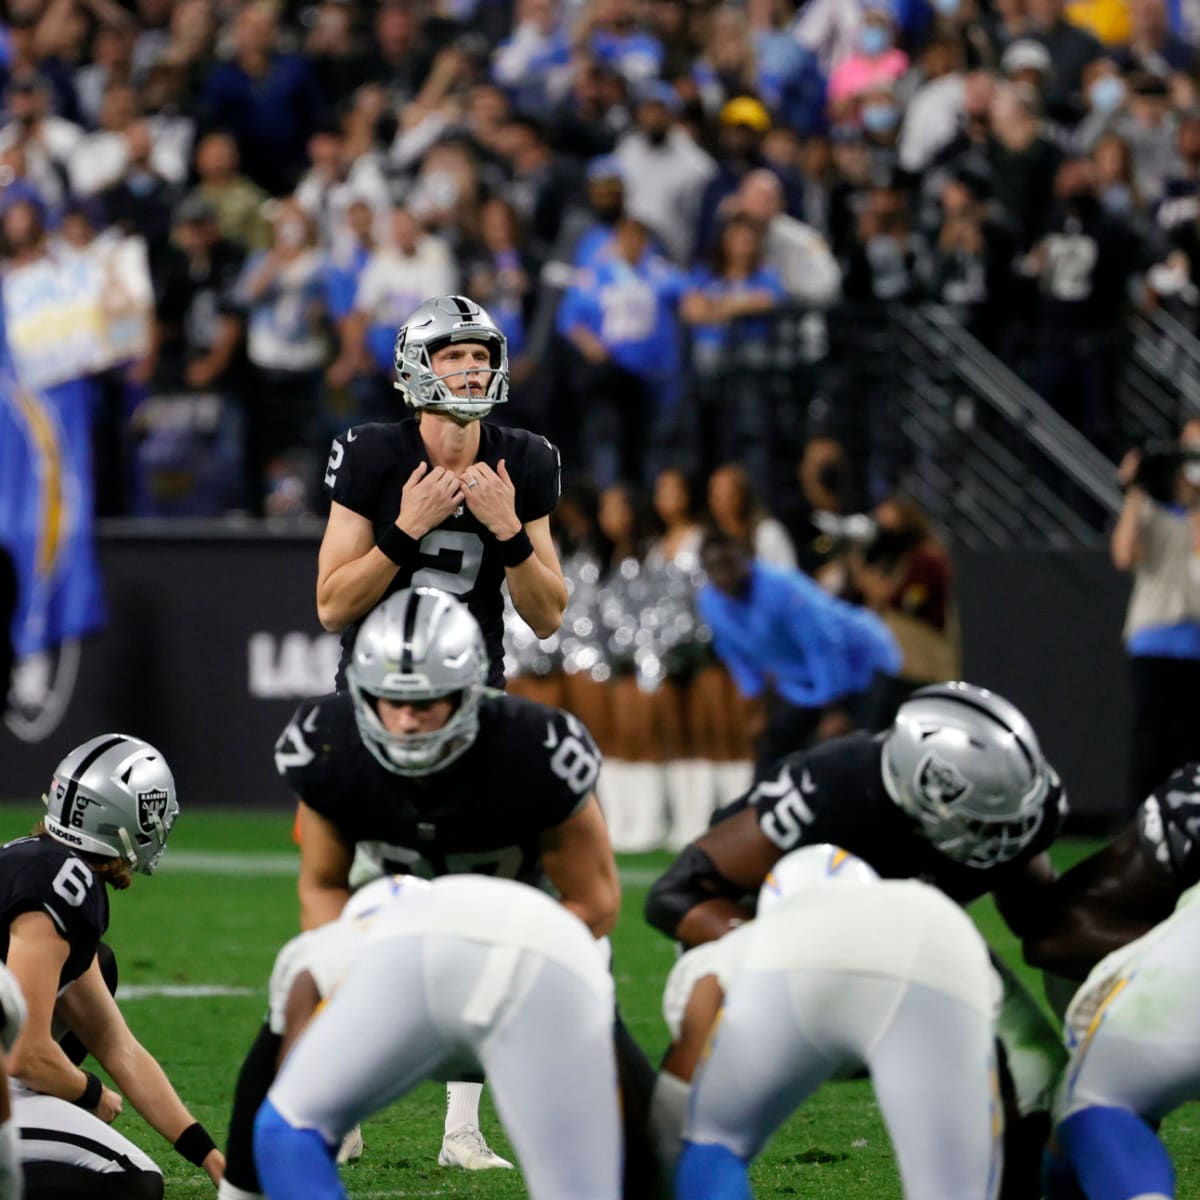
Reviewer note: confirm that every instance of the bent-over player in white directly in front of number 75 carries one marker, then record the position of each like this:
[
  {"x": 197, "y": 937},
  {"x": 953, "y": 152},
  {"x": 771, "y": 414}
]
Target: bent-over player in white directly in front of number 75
[{"x": 889, "y": 975}]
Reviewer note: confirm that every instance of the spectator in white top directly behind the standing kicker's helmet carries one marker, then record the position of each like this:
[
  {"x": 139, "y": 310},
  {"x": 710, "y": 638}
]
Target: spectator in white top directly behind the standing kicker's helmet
[{"x": 404, "y": 273}]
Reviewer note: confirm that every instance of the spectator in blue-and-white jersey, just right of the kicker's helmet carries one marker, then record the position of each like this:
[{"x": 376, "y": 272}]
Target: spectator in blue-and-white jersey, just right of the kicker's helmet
[{"x": 620, "y": 317}]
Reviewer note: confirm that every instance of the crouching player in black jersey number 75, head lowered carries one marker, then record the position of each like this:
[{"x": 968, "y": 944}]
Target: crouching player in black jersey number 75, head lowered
[{"x": 957, "y": 794}]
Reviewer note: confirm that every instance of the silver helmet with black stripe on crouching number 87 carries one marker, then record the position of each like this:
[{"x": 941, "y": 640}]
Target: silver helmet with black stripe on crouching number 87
[{"x": 419, "y": 645}]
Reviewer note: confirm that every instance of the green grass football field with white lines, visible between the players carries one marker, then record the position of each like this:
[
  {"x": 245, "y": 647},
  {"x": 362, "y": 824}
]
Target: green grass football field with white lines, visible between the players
[{"x": 225, "y": 902}]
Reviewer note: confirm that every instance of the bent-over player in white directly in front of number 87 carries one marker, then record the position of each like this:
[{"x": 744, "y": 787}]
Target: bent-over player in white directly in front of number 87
[{"x": 466, "y": 973}]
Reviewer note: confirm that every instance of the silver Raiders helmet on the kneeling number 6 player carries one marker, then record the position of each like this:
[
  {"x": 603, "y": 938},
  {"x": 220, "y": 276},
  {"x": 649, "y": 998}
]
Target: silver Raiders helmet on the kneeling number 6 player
[{"x": 115, "y": 796}]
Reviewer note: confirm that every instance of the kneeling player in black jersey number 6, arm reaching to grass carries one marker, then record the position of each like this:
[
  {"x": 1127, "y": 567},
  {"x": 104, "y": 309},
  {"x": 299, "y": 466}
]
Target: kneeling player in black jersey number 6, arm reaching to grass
[{"x": 110, "y": 812}]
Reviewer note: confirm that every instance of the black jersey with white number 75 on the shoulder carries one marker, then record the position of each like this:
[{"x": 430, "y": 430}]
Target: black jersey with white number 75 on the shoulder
[{"x": 835, "y": 794}]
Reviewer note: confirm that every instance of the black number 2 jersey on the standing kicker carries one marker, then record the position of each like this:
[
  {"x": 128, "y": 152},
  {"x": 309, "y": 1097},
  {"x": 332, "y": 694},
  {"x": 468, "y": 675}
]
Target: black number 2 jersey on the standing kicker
[{"x": 368, "y": 471}]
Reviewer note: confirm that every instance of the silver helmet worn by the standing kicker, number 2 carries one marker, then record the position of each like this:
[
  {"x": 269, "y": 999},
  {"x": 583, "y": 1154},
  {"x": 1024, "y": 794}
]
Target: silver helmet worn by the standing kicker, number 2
[{"x": 436, "y": 325}]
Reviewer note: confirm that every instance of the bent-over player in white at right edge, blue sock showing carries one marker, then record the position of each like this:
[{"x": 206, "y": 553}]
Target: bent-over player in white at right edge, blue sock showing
[{"x": 1136, "y": 1058}]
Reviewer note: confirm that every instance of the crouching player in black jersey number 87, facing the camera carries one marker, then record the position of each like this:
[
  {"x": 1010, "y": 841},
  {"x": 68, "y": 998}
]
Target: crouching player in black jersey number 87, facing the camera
[{"x": 431, "y": 773}]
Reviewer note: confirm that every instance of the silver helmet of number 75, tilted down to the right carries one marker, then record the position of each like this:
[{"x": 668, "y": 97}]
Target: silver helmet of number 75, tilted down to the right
[{"x": 965, "y": 765}]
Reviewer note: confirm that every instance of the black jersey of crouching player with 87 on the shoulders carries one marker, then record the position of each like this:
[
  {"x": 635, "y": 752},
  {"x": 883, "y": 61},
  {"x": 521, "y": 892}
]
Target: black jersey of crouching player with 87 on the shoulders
[{"x": 530, "y": 769}]
